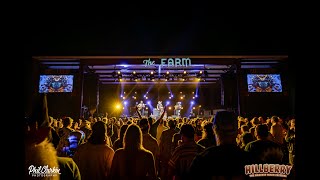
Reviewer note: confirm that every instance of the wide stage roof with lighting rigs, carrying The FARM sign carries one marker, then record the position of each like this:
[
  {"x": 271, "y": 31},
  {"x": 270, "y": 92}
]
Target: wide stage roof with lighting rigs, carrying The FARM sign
[{"x": 133, "y": 69}]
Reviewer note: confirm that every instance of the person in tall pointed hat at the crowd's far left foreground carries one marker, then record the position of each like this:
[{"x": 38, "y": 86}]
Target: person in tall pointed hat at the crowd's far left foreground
[{"x": 40, "y": 152}]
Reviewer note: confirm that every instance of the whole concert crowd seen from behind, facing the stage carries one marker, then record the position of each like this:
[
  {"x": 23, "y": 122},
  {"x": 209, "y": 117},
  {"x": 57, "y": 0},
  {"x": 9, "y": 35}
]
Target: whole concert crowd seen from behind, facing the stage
[{"x": 174, "y": 148}]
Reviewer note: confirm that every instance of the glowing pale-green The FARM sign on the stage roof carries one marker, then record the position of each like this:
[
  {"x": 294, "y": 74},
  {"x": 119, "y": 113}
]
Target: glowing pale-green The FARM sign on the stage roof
[{"x": 169, "y": 62}]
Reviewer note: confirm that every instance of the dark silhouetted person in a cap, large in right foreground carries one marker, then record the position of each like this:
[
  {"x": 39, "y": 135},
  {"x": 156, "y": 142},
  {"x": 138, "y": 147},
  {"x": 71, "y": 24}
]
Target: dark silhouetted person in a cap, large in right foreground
[{"x": 225, "y": 159}]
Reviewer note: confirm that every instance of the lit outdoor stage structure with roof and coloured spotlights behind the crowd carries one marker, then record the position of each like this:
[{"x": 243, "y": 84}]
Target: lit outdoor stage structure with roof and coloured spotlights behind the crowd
[{"x": 94, "y": 75}]
